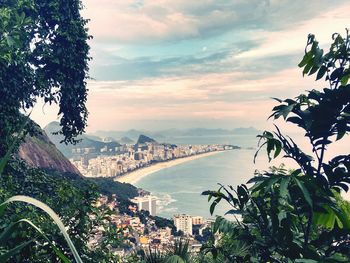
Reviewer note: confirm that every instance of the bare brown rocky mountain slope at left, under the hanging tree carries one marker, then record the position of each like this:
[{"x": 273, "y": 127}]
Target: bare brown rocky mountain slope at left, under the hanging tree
[{"x": 39, "y": 151}]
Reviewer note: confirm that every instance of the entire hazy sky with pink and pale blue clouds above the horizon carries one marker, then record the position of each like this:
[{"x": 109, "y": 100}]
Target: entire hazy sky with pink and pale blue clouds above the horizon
[{"x": 212, "y": 63}]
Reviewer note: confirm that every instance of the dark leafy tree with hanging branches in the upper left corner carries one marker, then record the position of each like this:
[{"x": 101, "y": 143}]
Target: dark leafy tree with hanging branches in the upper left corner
[{"x": 43, "y": 53}]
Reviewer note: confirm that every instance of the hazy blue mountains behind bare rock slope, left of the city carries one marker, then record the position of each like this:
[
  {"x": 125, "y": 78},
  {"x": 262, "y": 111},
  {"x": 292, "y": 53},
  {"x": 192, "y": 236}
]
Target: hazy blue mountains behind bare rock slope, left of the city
[{"x": 87, "y": 141}]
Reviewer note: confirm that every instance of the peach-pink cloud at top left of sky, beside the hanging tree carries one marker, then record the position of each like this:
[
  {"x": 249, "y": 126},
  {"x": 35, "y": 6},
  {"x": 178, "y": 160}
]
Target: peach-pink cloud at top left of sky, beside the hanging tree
[{"x": 117, "y": 20}]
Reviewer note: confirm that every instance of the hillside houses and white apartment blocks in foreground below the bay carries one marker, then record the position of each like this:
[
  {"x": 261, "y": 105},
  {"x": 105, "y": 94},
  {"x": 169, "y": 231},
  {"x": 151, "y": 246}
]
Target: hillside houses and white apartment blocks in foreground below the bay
[{"x": 143, "y": 233}]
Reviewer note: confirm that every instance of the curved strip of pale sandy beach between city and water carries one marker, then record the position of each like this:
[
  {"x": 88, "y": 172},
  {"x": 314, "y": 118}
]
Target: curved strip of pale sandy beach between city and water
[{"x": 136, "y": 175}]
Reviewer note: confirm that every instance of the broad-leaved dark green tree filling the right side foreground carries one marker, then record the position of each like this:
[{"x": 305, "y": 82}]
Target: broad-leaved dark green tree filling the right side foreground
[{"x": 297, "y": 215}]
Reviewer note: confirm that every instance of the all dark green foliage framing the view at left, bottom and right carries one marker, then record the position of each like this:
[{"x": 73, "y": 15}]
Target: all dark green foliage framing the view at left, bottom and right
[{"x": 285, "y": 215}]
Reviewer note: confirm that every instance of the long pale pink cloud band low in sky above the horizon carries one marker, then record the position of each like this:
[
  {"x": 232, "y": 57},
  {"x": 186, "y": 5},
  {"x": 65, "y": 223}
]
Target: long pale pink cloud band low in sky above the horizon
[{"x": 216, "y": 100}]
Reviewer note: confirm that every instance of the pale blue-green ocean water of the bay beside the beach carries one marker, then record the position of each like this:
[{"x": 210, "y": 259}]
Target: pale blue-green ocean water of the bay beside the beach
[{"x": 179, "y": 188}]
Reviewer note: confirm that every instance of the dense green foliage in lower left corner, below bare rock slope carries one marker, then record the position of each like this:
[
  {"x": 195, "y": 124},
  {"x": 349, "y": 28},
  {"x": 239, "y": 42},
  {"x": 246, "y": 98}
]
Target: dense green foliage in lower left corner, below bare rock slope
[{"x": 73, "y": 200}]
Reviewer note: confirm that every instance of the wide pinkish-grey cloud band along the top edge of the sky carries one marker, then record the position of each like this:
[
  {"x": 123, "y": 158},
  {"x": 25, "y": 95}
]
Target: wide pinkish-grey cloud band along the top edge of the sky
[{"x": 129, "y": 21}]
